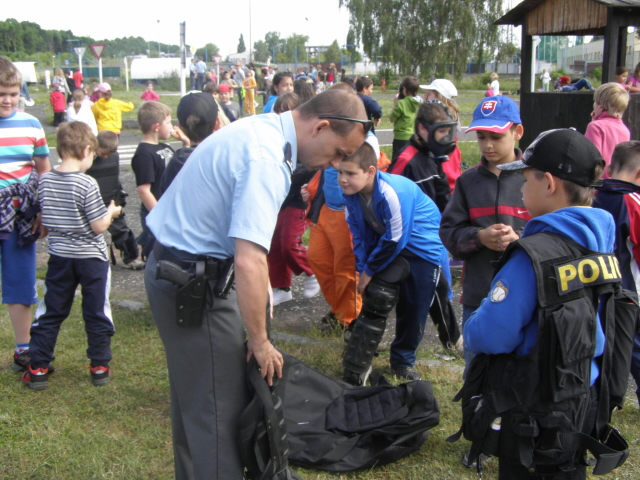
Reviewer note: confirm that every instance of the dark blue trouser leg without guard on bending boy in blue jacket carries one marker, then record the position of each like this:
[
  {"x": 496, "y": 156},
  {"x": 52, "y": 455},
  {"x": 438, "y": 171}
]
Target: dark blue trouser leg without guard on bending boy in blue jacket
[{"x": 414, "y": 300}]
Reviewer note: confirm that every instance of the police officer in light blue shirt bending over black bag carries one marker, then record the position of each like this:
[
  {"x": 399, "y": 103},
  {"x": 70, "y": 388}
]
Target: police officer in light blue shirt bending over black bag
[{"x": 223, "y": 207}]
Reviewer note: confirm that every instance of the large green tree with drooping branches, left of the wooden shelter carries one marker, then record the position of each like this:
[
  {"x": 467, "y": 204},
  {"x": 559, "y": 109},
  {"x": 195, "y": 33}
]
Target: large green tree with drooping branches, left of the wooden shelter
[{"x": 417, "y": 34}]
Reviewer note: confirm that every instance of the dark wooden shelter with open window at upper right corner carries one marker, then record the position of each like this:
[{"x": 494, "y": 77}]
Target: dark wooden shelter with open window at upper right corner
[{"x": 542, "y": 111}]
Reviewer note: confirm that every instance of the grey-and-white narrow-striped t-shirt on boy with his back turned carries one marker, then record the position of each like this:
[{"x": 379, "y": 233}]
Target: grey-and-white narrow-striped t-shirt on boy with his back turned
[{"x": 70, "y": 201}]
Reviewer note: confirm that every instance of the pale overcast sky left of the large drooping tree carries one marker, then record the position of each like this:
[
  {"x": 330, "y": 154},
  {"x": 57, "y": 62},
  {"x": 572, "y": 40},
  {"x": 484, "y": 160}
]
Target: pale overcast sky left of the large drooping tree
[{"x": 220, "y": 23}]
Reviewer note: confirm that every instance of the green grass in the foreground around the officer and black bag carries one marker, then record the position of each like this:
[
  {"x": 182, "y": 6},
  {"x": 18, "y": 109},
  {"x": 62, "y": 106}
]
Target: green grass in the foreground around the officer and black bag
[{"x": 74, "y": 430}]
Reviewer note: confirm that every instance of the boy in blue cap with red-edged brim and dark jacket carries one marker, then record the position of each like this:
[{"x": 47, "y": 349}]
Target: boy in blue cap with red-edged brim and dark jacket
[{"x": 486, "y": 211}]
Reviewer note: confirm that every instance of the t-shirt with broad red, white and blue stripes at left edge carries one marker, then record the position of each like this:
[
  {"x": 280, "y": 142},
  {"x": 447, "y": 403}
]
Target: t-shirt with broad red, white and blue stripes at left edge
[{"x": 21, "y": 139}]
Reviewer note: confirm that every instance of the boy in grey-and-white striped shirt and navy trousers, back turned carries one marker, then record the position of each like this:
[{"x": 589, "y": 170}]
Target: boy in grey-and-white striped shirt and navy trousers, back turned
[{"x": 74, "y": 217}]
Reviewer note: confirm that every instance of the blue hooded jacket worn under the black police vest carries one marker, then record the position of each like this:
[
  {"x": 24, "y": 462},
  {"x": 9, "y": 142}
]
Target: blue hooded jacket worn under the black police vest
[{"x": 510, "y": 325}]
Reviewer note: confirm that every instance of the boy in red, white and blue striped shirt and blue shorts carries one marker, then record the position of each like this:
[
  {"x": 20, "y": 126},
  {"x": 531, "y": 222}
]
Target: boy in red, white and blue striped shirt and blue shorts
[{"x": 23, "y": 156}]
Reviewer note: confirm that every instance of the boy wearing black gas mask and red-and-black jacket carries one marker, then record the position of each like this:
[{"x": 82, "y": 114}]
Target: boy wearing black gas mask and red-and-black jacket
[{"x": 421, "y": 161}]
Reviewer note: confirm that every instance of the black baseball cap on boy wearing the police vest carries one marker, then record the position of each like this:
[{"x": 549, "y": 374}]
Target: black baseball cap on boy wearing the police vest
[{"x": 564, "y": 153}]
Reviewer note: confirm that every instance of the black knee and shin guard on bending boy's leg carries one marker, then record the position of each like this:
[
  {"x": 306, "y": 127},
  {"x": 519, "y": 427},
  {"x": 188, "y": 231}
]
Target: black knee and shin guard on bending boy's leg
[{"x": 380, "y": 296}]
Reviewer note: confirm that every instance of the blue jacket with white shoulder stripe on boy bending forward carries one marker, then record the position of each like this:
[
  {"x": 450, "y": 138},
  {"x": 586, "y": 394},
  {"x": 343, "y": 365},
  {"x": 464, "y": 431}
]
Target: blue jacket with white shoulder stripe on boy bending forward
[{"x": 410, "y": 218}]
